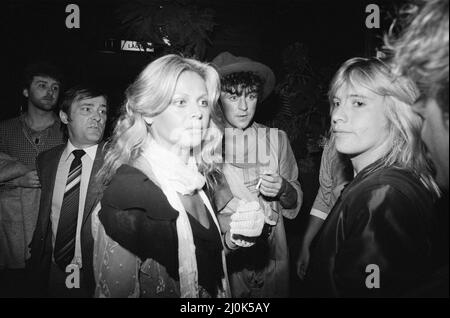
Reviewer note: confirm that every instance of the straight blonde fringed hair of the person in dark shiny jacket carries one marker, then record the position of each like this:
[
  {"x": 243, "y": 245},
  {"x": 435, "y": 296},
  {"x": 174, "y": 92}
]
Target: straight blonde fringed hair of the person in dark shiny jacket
[{"x": 407, "y": 149}]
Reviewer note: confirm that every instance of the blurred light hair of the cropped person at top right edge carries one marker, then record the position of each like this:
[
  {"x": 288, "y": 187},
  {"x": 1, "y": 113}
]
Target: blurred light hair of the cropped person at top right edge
[{"x": 420, "y": 50}]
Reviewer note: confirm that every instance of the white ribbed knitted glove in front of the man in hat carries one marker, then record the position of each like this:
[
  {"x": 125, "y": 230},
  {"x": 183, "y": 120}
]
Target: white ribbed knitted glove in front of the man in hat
[{"x": 248, "y": 220}]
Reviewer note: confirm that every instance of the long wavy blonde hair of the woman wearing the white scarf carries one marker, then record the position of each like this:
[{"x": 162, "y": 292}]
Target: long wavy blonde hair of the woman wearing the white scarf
[{"x": 149, "y": 96}]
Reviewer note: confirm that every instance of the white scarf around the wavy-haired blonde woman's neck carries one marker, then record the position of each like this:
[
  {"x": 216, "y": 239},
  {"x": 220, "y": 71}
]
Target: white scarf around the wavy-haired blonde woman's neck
[{"x": 174, "y": 177}]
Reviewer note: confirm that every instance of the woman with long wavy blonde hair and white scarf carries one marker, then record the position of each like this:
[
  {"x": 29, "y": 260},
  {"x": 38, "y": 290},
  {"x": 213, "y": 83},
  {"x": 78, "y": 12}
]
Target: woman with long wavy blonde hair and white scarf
[{"x": 156, "y": 233}]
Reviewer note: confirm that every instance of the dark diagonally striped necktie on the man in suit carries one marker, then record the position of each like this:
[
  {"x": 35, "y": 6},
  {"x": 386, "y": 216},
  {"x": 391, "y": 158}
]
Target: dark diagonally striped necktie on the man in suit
[{"x": 67, "y": 225}]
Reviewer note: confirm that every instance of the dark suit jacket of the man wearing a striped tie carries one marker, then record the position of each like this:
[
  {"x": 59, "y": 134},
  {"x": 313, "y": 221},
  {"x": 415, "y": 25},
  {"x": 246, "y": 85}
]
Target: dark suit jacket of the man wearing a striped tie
[{"x": 41, "y": 244}]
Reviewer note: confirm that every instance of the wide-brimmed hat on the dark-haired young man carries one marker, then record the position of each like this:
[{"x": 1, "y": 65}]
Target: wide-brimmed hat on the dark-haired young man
[{"x": 226, "y": 63}]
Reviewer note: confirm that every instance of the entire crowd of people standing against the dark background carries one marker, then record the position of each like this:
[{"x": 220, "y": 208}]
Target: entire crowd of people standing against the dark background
[{"x": 187, "y": 197}]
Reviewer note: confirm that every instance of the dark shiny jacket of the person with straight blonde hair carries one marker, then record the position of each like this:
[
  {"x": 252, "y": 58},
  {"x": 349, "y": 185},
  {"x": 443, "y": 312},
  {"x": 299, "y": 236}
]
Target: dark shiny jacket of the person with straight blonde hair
[{"x": 378, "y": 239}]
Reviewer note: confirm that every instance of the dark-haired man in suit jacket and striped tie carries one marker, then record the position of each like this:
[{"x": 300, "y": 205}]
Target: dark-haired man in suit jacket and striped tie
[{"x": 62, "y": 245}]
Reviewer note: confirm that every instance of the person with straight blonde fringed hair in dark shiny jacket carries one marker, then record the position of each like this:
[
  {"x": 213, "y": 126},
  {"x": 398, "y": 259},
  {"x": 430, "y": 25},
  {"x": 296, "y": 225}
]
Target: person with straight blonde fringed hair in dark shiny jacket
[{"x": 377, "y": 240}]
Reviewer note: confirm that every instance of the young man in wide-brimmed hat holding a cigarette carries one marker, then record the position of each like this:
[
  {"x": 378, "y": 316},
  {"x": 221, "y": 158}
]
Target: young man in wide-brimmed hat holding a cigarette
[{"x": 259, "y": 166}]
